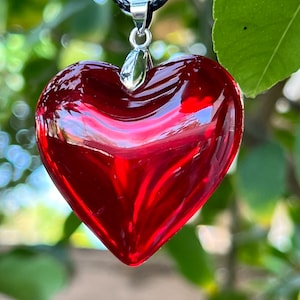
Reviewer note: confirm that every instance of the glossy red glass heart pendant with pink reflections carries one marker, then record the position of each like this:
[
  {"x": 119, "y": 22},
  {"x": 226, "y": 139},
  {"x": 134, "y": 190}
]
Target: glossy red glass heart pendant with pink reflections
[{"x": 135, "y": 166}]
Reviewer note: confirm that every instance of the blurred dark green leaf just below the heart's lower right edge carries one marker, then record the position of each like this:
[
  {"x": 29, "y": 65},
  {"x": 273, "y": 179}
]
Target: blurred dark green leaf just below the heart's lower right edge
[{"x": 192, "y": 261}]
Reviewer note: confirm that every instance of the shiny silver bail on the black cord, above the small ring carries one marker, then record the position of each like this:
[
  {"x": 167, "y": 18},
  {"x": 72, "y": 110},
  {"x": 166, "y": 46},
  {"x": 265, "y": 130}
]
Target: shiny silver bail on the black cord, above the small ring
[{"x": 139, "y": 10}]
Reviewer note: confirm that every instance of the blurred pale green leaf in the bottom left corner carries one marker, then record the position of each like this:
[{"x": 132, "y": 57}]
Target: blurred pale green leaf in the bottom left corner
[{"x": 27, "y": 275}]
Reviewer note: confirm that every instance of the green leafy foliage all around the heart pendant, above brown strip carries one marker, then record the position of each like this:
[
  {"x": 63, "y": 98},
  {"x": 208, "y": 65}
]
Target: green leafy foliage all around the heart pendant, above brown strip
[{"x": 254, "y": 215}]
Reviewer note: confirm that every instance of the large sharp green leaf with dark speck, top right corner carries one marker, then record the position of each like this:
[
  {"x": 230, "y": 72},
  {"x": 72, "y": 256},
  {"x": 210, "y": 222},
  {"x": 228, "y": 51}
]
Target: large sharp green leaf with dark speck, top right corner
[{"x": 257, "y": 41}]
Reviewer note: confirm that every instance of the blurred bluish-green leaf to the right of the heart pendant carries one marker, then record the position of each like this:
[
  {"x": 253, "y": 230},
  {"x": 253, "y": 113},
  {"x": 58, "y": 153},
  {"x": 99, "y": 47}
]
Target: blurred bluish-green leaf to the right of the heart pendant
[{"x": 261, "y": 178}]
